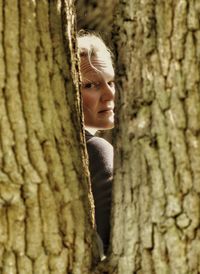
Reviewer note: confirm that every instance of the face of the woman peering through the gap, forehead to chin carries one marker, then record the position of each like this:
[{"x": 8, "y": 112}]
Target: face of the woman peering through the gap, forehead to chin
[{"x": 98, "y": 91}]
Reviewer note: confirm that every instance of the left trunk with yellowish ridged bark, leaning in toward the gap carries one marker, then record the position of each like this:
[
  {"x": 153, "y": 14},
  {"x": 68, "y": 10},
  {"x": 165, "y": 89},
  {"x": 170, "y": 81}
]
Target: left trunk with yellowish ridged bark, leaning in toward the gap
[{"x": 44, "y": 205}]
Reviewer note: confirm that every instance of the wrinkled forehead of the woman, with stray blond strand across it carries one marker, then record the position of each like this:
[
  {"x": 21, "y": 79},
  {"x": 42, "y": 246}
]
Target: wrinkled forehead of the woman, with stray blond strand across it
[{"x": 97, "y": 67}]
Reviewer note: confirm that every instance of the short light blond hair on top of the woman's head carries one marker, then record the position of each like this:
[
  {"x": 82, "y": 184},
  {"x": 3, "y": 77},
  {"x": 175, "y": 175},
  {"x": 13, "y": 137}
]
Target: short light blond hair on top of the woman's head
[{"x": 91, "y": 45}]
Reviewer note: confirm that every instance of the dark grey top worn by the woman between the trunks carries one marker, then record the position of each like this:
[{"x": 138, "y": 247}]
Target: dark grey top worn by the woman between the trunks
[{"x": 100, "y": 154}]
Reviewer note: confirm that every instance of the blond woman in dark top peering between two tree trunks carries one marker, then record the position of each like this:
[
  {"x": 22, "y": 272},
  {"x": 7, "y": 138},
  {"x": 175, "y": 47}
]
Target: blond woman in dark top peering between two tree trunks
[{"x": 98, "y": 91}]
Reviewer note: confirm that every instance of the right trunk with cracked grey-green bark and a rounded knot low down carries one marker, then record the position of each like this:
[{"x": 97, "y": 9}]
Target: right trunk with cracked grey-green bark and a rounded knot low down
[{"x": 156, "y": 201}]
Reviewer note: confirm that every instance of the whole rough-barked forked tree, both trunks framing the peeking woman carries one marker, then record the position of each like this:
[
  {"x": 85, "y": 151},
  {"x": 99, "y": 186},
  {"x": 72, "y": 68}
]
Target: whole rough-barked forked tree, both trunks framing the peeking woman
[{"x": 46, "y": 223}]
